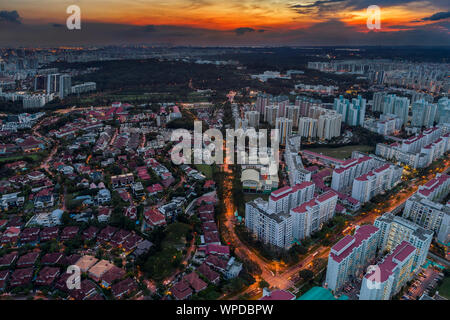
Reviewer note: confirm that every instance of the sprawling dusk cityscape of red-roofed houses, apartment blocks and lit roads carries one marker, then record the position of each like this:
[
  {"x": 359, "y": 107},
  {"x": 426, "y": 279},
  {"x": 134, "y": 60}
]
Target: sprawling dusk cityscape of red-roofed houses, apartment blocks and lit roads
[{"x": 359, "y": 208}]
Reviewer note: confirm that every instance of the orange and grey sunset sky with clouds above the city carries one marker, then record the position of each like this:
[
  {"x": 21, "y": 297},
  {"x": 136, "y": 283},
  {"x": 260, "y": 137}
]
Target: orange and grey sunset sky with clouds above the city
[{"x": 42, "y": 23}]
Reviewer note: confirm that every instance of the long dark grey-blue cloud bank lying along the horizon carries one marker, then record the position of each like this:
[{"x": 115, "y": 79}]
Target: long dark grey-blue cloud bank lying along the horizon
[{"x": 328, "y": 33}]
